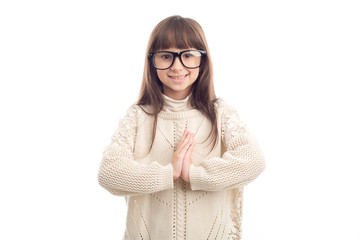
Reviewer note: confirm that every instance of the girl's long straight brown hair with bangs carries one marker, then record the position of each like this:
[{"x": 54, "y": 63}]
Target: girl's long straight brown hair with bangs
[{"x": 181, "y": 33}]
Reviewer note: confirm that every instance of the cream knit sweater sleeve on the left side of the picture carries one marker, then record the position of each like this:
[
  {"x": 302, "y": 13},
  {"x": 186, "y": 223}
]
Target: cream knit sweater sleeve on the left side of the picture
[{"x": 120, "y": 173}]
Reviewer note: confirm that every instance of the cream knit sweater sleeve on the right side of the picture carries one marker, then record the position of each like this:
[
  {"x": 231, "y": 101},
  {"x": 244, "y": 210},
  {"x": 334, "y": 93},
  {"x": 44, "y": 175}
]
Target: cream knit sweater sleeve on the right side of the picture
[{"x": 241, "y": 162}]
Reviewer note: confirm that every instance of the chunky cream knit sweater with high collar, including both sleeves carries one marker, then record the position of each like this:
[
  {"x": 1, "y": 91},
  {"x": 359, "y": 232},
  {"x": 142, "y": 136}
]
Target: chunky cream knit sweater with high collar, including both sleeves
[{"x": 160, "y": 208}]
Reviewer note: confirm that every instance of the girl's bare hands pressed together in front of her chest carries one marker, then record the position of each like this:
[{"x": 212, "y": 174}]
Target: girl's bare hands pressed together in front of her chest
[{"x": 182, "y": 156}]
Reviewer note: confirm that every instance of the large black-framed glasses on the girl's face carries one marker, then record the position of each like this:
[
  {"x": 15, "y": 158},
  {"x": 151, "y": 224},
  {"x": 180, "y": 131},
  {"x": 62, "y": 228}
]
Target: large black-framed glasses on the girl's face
[{"x": 162, "y": 60}]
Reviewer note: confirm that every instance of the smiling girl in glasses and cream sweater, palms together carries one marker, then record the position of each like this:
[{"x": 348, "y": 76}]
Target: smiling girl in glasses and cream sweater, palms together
[{"x": 180, "y": 156}]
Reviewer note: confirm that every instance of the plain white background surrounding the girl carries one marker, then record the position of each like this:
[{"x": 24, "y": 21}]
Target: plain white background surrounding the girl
[{"x": 69, "y": 70}]
